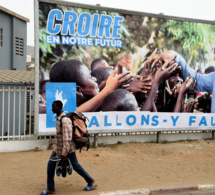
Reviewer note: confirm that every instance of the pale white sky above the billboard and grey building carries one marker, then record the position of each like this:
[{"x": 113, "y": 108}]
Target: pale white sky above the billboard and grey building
[{"x": 196, "y": 9}]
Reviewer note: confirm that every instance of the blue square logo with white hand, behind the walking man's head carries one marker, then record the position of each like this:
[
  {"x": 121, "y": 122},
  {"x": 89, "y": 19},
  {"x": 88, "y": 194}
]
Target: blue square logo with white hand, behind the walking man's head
[{"x": 66, "y": 93}]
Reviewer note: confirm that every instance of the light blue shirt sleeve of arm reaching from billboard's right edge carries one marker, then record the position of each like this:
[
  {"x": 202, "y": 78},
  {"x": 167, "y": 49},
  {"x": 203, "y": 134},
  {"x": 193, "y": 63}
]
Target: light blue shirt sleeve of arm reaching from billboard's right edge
[{"x": 204, "y": 82}]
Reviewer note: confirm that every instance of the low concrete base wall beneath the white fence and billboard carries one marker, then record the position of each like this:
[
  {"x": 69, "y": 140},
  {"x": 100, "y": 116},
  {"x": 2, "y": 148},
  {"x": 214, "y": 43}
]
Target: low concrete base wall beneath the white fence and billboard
[{"x": 23, "y": 145}]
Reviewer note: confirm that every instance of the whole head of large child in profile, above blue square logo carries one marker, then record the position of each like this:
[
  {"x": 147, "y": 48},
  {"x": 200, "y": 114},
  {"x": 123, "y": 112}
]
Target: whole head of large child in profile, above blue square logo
[{"x": 75, "y": 71}]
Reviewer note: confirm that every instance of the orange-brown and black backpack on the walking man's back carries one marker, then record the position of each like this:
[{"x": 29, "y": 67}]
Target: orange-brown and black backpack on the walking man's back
[{"x": 80, "y": 133}]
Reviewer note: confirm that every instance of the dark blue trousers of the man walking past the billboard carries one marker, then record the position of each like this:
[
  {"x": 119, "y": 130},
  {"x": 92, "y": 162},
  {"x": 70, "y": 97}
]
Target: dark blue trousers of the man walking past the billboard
[{"x": 76, "y": 166}]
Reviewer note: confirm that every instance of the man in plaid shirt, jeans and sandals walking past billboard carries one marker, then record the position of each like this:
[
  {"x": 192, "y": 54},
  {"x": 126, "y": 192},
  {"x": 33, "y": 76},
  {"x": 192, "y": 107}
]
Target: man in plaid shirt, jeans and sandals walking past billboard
[{"x": 65, "y": 148}]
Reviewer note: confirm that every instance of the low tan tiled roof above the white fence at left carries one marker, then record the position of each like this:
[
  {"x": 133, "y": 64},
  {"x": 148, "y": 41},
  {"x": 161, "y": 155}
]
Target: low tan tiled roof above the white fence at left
[{"x": 16, "y": 76}]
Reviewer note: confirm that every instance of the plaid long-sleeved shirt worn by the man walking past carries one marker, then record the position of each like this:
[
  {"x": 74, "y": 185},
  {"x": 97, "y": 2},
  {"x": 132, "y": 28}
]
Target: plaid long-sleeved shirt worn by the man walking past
[{"x": 64, "y": 145}]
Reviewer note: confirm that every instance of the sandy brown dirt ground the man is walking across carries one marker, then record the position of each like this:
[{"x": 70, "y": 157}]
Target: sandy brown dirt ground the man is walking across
[{"x": 117, "y": 167}]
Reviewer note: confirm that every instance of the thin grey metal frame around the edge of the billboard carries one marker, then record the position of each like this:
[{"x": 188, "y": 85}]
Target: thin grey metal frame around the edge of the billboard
[{"x": 101, "y": 8}]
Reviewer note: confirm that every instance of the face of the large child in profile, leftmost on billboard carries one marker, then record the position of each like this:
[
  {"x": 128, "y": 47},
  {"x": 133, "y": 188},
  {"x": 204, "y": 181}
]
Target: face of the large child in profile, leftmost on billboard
[{"x": 90, "y": 87}]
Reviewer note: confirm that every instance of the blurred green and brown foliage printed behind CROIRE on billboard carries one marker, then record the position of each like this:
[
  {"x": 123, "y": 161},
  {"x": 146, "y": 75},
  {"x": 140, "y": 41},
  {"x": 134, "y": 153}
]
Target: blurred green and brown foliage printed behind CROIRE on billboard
[{"x": 188, "y": 38}]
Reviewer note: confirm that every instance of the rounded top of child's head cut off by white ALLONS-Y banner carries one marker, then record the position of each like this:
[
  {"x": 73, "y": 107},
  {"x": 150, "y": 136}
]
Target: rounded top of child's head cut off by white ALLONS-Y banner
[{"x": 120, "y": 100}]
